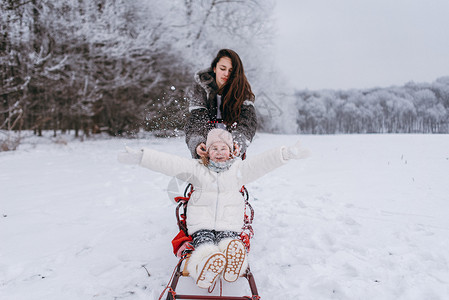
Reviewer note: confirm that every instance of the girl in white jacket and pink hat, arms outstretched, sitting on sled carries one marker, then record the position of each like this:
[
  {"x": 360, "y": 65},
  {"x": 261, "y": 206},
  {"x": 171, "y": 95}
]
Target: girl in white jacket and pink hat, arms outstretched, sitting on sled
[{"x": 216, "y": 206}]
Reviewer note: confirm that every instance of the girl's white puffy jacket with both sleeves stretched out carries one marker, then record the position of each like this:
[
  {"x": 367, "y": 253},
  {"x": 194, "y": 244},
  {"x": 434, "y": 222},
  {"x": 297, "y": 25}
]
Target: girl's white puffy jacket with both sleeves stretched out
[{"x": 216, "y": 203}]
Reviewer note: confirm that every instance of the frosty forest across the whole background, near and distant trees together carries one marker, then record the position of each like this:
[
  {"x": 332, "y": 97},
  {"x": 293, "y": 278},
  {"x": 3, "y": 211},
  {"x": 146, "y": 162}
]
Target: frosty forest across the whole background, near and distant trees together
[{"x": 92, "y": 66}]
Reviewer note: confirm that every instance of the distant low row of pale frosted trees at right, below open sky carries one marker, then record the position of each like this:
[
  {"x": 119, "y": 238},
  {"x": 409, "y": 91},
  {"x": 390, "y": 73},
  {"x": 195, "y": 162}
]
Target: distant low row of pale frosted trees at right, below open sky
[{"x": 412, "y": 108}]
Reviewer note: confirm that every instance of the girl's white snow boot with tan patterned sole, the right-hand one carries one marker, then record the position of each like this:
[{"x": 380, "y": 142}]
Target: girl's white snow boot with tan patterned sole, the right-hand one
[{"x": 236, "y": 260}]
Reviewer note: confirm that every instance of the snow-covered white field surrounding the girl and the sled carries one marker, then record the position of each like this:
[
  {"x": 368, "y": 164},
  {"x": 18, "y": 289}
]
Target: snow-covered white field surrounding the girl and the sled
[{"x": 366, "y": 217}]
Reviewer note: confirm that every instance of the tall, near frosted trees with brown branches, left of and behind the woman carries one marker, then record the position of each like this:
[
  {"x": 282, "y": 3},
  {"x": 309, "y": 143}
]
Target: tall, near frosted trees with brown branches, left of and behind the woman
[{"x": 114, "y": 66}]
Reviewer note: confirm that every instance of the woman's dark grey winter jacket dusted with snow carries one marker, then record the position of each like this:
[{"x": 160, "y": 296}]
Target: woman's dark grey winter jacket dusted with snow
[{"x": 203, "y": 114}]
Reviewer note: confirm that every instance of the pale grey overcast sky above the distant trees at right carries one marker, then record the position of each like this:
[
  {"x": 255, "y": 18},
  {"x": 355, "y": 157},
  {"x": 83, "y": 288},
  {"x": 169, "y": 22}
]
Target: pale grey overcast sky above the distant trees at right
[{"x": 343, "y": 44}]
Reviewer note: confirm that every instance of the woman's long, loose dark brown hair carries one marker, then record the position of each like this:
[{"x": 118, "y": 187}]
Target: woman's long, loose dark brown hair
[{"x": 236, "y": 90}]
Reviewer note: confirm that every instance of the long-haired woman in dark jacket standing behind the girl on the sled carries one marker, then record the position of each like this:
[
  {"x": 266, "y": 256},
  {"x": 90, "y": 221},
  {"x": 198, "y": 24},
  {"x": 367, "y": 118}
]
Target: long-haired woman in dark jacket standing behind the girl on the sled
[{"x": 221, "y": 98}]
